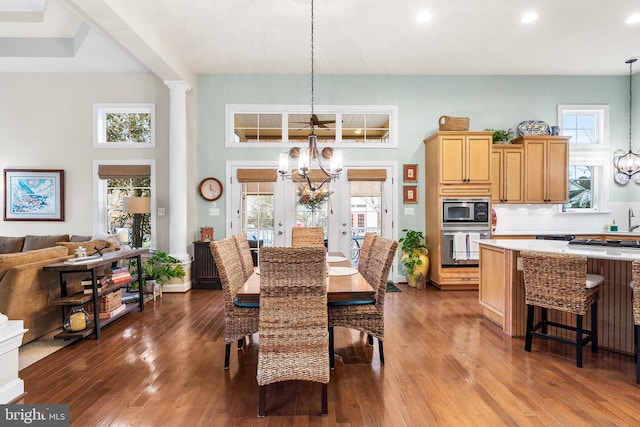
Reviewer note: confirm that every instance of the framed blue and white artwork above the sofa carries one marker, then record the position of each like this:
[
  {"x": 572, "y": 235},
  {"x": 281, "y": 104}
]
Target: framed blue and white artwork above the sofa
[{"x": 33, "y": 195}]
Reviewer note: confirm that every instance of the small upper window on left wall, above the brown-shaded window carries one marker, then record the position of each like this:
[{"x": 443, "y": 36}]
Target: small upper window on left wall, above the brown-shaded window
[{"x": 124, "y": 125}]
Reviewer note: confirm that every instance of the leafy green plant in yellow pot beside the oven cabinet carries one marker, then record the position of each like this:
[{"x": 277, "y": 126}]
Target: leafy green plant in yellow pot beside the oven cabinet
[{"x": 415, "y": 258}]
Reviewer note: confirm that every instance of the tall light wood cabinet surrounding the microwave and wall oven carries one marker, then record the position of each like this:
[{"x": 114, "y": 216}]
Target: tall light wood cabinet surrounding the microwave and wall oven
[{"x": 457, "y": 164}]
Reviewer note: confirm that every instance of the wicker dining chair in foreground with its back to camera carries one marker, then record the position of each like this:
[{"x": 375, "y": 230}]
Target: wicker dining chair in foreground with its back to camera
[{"x": 293, "y": 319}]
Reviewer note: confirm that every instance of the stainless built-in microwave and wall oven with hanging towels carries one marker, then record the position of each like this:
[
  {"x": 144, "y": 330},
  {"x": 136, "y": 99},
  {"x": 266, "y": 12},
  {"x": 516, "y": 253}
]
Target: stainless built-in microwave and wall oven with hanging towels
[{"x": 464, "y": 222}]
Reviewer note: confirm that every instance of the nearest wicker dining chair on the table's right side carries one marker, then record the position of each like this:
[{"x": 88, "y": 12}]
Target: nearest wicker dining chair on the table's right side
[{"x": 367, "y": 317}]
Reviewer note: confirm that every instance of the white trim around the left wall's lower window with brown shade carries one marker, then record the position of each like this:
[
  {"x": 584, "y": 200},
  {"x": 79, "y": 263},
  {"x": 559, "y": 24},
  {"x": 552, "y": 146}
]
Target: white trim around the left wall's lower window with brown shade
[{"x": 100, "y": 191}]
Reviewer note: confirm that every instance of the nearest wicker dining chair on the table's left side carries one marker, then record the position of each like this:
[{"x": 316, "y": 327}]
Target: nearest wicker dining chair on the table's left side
[{"x": 238, "y": 321}]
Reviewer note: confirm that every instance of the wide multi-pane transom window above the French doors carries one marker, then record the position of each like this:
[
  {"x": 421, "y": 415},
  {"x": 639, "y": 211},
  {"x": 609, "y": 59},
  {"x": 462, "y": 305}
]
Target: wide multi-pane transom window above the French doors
[{"x": 274, "y": 125}]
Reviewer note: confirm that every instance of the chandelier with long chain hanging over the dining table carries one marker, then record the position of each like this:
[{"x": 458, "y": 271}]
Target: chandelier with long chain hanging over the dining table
[{"x": 306, "y": 155}]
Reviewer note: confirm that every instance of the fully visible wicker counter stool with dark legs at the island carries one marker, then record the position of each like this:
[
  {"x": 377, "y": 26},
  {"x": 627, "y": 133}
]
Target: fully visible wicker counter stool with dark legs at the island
[{"x": 560, "y": 282}]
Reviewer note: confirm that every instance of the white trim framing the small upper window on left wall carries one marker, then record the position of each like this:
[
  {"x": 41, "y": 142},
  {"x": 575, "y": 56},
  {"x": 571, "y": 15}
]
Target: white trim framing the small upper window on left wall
[{"x": 100, "y": 112}]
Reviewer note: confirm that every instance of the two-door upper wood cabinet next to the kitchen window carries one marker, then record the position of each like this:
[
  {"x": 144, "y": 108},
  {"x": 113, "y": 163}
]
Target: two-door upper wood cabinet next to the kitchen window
[{"x": 546, "y": 178}]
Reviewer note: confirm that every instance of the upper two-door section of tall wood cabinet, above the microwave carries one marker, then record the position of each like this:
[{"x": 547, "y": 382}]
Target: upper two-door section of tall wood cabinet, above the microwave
[{"x": 461, "y": 157}]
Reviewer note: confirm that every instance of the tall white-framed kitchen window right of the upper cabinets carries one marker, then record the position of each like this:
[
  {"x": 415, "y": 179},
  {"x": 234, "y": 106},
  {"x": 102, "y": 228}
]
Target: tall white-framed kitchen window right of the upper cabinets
[{"x": 588, "y": 127}]
